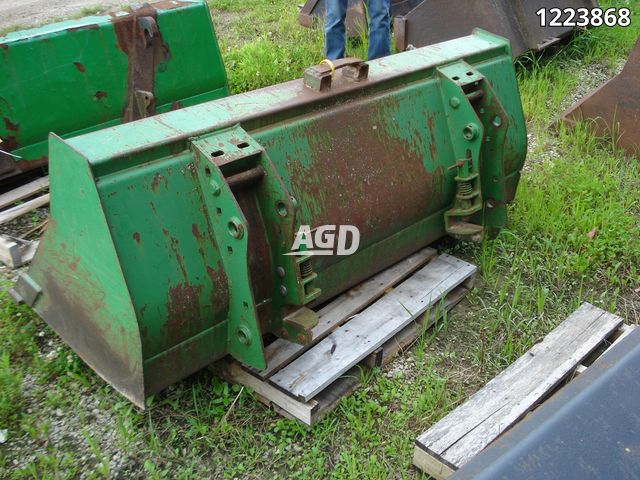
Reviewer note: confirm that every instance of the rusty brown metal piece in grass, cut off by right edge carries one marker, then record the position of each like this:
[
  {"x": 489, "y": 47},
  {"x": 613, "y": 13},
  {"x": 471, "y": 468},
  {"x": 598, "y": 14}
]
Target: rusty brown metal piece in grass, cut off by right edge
[{"x": 614, "y": 108}]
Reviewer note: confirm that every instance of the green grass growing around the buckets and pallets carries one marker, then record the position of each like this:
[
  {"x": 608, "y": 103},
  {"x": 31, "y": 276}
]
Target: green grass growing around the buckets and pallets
[{"x": 531, "y": 277}]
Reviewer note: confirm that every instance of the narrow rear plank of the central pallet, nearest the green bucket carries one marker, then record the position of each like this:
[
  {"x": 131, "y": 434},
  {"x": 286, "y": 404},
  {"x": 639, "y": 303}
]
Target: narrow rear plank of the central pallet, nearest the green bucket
[{"x": 282, "y": 352}]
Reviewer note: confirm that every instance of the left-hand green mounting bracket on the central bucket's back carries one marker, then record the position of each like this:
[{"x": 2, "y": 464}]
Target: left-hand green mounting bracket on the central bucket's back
[{"x": 227, "y": 160}]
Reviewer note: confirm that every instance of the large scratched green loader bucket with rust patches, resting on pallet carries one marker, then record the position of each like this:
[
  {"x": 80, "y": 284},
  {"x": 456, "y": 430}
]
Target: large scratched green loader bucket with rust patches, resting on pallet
[{"x": 169, "y": 253}]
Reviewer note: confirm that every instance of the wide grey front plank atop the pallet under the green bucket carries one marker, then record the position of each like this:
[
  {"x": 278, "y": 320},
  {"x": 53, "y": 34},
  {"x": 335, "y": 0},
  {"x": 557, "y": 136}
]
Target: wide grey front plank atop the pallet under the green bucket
[{"x": 351, "y": 343}]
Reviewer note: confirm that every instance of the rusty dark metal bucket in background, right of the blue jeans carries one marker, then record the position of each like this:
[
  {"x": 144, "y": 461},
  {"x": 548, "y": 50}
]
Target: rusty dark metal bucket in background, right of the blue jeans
[{"x": 435, "y": 21}]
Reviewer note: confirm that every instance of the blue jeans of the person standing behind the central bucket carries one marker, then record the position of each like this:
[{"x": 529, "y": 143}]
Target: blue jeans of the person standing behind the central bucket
[{"x": 379, "y": 28}]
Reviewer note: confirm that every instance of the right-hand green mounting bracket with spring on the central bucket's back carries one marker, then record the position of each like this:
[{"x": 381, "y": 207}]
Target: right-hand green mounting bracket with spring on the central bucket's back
[{"x": 477, "y": 123}]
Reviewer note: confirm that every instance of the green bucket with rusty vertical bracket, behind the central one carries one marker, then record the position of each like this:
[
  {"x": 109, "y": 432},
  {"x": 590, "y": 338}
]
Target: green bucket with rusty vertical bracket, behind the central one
[{"x": 82, "y": 75}]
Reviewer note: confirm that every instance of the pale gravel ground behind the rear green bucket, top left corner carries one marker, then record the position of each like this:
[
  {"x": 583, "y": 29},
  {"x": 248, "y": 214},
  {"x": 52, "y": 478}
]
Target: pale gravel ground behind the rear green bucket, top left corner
[{"x": 29, "y": 13}]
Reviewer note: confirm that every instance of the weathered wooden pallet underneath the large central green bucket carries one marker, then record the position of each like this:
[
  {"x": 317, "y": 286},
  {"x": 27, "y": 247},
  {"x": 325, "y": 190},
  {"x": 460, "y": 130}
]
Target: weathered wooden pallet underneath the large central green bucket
[{"x": 363, "y": 328}]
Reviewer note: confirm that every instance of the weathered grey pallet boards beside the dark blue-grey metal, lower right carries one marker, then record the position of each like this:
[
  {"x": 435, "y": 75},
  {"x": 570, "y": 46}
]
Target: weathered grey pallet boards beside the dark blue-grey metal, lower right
[{"x": 509, "y": 397}]
